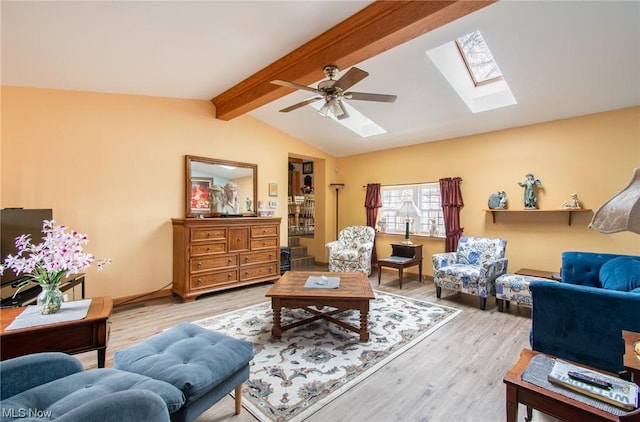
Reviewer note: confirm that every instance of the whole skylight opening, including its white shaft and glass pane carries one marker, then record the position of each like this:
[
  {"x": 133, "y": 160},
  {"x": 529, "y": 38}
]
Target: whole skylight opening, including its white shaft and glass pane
[{"x": 488, "y": 90}]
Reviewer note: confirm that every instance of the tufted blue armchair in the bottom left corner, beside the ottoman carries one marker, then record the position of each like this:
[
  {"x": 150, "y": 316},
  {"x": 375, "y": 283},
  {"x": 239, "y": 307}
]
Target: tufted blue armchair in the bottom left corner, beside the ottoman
[{"x": 54, "y": 386}]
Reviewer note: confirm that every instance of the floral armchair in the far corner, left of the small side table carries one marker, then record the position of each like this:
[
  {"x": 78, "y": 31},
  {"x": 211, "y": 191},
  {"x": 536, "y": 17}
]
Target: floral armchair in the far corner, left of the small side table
[{"x": 352, "y": 251}]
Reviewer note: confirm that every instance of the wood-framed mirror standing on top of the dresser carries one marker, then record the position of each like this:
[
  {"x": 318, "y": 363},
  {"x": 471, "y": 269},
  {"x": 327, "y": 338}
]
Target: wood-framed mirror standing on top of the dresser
[{"x": 220, "y": 188}]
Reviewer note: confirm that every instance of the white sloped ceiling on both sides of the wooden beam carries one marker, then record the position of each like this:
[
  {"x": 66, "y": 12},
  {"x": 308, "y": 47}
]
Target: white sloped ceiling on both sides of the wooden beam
[{"x": 560, "y": 59}]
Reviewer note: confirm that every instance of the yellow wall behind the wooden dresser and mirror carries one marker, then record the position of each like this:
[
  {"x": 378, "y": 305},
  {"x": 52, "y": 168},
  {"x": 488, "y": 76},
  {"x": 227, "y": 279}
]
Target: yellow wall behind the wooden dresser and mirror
[{"x": 112, "y": 166}]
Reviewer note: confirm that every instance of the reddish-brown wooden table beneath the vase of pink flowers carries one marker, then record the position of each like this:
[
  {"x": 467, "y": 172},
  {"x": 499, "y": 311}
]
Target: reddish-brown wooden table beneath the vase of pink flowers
[{"x": 84, "y": 335}]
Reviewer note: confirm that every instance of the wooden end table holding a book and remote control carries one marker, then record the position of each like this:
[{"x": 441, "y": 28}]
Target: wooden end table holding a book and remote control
[{"x": 546, "y": 401}]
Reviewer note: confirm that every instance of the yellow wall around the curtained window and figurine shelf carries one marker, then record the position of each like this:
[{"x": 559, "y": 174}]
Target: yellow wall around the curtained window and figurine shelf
[{"x": 593, "y": 156}]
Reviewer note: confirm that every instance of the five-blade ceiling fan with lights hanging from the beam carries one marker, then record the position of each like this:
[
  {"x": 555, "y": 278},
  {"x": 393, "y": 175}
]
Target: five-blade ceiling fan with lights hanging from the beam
[{"x": 333, "y": 92}]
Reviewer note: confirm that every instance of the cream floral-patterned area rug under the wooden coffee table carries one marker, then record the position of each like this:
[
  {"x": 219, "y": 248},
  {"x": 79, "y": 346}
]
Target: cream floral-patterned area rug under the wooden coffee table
[{"x": 294, "y": 376}]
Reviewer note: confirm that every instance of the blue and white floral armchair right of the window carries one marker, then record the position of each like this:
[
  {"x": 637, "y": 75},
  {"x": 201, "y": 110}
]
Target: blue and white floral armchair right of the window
[{"x": 473, "y": 268}]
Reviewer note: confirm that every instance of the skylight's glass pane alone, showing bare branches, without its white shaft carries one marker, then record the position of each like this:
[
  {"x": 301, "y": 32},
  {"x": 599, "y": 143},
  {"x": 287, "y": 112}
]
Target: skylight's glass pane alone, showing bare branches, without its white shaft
[{"x": 477, "y": 56}]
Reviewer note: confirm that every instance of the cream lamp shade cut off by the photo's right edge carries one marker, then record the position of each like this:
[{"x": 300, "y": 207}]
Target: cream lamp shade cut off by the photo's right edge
[{"x": 622, "y": 212}]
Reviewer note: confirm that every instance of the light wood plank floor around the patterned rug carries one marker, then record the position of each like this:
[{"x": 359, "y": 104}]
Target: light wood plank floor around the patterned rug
[{"x": 455, "y": 374}]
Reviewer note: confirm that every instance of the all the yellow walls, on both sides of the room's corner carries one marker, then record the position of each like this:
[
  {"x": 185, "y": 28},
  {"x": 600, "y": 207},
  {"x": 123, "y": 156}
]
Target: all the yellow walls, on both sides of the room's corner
[{"x": 112, "y": 166}]
